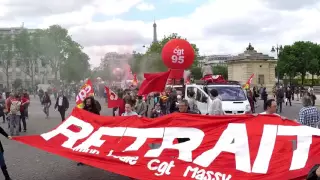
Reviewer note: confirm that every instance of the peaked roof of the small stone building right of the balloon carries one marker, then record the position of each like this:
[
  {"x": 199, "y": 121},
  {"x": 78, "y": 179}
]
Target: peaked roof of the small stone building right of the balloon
[{"x": 251, "y": 54}]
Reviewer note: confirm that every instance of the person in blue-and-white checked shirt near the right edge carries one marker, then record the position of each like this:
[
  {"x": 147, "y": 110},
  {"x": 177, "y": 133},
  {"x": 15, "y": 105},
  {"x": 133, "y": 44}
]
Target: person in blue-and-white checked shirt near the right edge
[{"x": 308, "y": 115}]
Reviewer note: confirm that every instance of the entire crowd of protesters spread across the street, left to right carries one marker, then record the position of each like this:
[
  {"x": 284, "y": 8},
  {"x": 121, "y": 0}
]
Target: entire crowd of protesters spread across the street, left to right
[{"x": 14, "y": 107}]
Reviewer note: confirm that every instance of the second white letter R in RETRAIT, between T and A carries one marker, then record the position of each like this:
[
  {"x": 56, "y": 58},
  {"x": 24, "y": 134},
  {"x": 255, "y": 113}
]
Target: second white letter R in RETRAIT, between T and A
[{"x": 185, "y": 149}]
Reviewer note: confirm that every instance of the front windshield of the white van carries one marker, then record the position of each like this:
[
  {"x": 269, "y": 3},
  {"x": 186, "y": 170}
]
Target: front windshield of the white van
[{"x": 229, "y": 93}]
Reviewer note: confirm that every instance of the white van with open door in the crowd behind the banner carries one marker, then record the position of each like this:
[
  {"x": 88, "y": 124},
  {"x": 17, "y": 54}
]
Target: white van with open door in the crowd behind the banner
[{"x": 234, "y": 99}]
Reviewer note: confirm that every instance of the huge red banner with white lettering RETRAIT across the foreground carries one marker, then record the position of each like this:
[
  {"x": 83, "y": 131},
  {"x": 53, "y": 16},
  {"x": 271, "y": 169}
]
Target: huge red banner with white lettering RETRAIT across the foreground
[{"x": 219, "y": 147}]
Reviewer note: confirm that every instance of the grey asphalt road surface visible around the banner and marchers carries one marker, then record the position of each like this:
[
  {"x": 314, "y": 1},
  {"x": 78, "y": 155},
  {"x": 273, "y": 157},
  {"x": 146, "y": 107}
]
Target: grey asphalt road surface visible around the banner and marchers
[{"x": 27, "y": 163}]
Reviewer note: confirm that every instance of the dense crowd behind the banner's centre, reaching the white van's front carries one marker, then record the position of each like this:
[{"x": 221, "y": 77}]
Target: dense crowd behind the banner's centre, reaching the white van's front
[{"x": 159, "y": 104}]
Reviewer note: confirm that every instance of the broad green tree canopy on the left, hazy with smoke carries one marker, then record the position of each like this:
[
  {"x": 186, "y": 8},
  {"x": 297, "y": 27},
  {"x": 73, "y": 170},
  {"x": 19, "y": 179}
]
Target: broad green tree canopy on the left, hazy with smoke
[{"x": 54, "y": 48}]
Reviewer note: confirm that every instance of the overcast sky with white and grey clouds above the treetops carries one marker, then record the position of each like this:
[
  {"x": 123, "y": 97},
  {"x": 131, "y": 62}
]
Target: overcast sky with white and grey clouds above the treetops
[{"x": 216, "y": 26}]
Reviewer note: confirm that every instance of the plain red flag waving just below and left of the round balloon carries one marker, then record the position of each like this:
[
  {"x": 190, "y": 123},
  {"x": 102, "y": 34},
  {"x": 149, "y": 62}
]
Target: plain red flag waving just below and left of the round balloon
[{"x": 154, "y": 82}]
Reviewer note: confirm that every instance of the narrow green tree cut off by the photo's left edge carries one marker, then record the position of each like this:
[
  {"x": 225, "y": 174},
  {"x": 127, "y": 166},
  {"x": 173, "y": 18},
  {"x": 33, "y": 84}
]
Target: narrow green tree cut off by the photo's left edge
[{"x": 6, "y": 55}]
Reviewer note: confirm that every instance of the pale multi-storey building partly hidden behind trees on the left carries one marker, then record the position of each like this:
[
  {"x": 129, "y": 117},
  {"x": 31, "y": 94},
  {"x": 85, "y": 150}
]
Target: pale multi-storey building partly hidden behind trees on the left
[{"x": 42, "y": 74}]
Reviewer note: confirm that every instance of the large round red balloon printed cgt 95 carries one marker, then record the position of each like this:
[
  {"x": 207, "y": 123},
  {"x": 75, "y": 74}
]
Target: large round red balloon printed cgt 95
[{"x": 178, "y": 54}]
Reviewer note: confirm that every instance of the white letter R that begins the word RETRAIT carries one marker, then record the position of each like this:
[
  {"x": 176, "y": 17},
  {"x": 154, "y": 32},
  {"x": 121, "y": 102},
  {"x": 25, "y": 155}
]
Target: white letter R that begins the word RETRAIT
[{"x": 73, "y": 137}]
